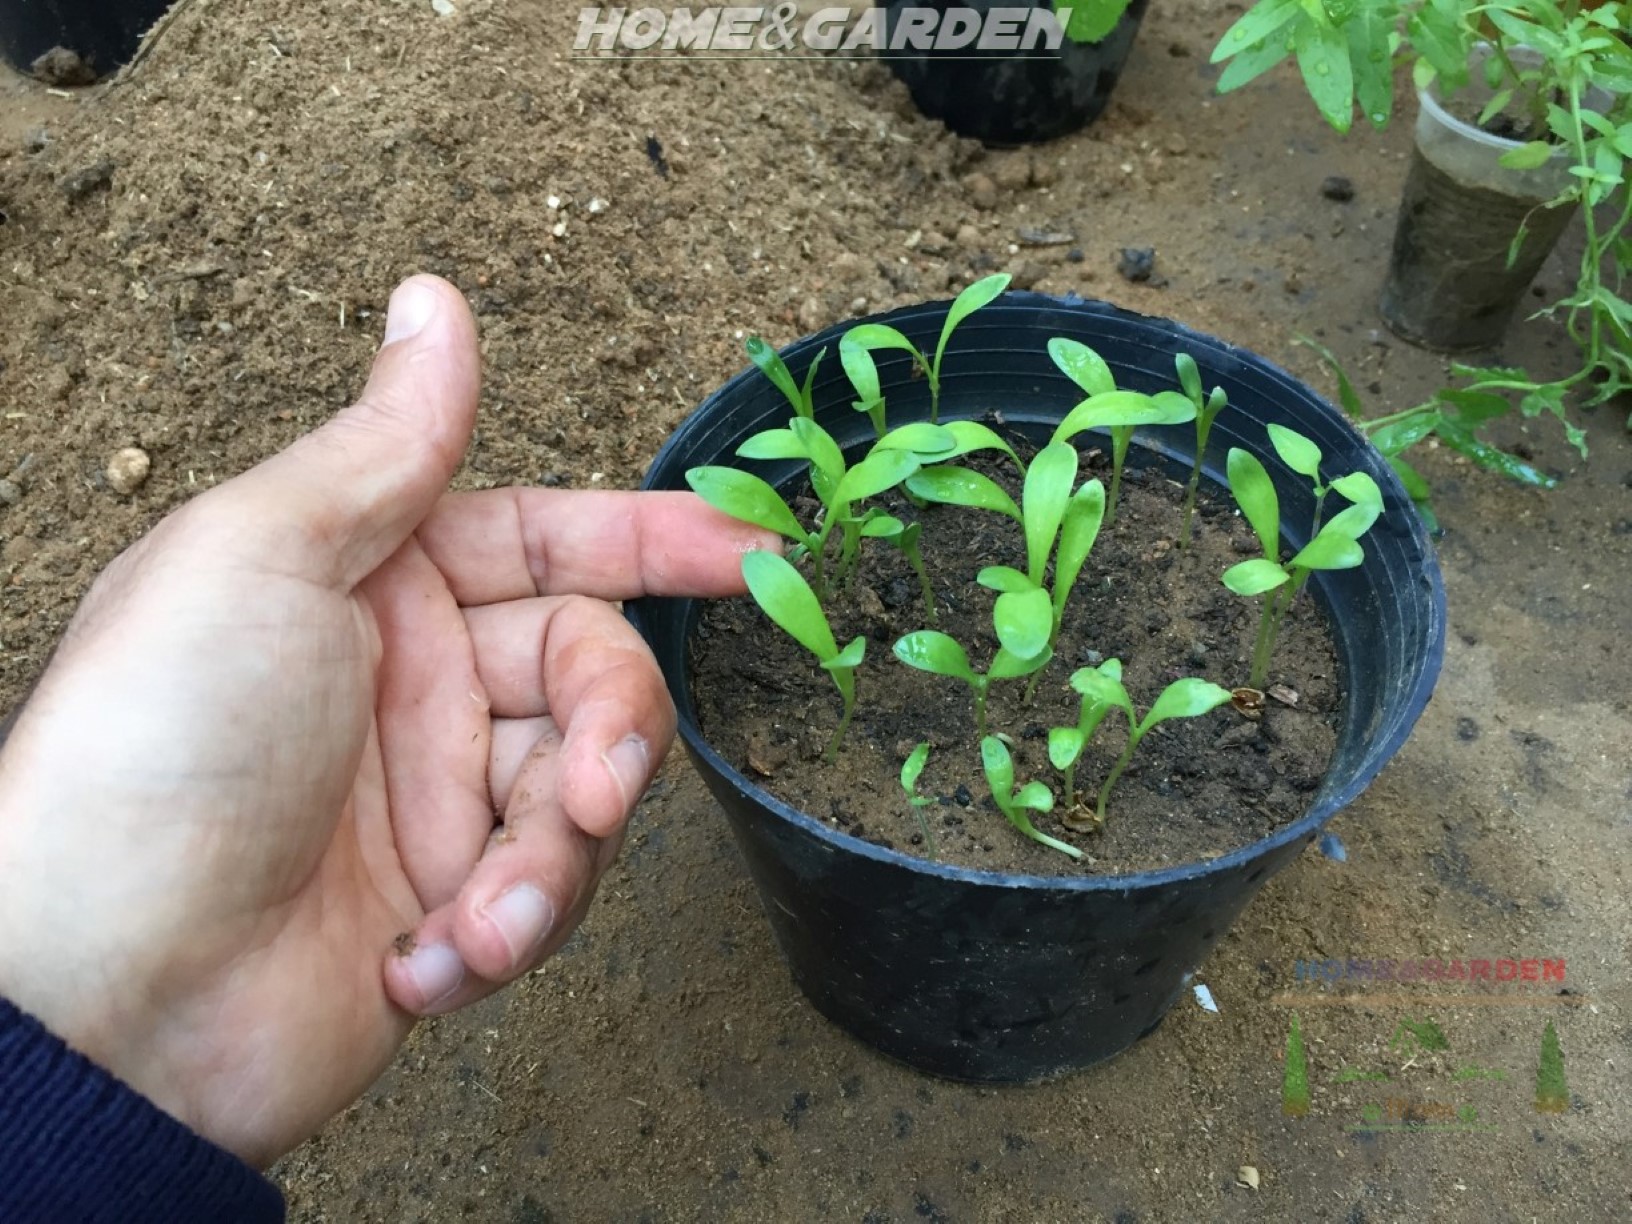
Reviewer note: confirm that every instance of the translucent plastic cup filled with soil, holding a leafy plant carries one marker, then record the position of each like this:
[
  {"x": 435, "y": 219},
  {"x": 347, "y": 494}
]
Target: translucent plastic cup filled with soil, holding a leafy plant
[{"x": 1450, "y": 283}]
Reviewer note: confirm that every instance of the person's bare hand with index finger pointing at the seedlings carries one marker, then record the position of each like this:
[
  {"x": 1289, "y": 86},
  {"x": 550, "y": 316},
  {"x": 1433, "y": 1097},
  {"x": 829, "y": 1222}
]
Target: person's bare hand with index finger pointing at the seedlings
[{"x": 317, "y": 709}]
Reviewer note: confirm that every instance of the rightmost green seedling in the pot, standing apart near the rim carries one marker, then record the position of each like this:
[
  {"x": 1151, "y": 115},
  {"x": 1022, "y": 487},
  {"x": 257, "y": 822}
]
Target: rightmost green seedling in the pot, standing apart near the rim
[{"x": 1334, "y": 548}]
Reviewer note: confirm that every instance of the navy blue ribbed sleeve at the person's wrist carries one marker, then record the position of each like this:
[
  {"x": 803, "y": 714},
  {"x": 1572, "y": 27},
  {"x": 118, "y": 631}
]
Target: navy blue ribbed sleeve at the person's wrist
[{"x": 78, "y": 1145}]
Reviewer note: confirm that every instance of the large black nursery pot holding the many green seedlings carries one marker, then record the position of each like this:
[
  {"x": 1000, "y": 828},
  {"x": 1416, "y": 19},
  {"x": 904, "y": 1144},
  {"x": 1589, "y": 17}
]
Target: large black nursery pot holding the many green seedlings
[{"x": 998, "y": 978}]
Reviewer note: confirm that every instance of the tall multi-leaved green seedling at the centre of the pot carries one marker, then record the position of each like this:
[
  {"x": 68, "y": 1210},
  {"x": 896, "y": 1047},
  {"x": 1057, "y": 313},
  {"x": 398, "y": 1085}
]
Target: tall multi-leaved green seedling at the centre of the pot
[{"x": 1029, "y": 614}]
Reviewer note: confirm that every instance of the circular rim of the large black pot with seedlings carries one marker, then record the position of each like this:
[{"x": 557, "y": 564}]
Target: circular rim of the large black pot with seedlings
[{"x": 1305, "y": 828}]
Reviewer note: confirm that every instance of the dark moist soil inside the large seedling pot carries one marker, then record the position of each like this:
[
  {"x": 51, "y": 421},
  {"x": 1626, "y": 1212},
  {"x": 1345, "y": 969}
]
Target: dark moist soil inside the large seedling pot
[{"x": 1194, "y": 791}]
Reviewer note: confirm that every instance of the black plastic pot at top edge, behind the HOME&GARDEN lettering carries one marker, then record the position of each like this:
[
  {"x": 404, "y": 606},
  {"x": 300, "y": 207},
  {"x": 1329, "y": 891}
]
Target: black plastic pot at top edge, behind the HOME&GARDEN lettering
[{"x": 1006, "y": 97}]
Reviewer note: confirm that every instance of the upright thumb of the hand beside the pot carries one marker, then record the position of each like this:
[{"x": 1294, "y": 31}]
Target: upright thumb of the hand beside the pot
[{"x": 353, "y": 490}]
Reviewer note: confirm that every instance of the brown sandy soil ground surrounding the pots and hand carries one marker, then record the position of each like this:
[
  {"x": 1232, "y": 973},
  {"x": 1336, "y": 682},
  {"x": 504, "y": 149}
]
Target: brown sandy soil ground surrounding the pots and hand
[{"x": 272, "y": 171}]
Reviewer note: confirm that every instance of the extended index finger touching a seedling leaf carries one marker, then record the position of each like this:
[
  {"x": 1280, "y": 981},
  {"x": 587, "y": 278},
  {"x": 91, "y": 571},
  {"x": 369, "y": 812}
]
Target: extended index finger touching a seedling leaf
[{"x": 523, "y": 543}]
